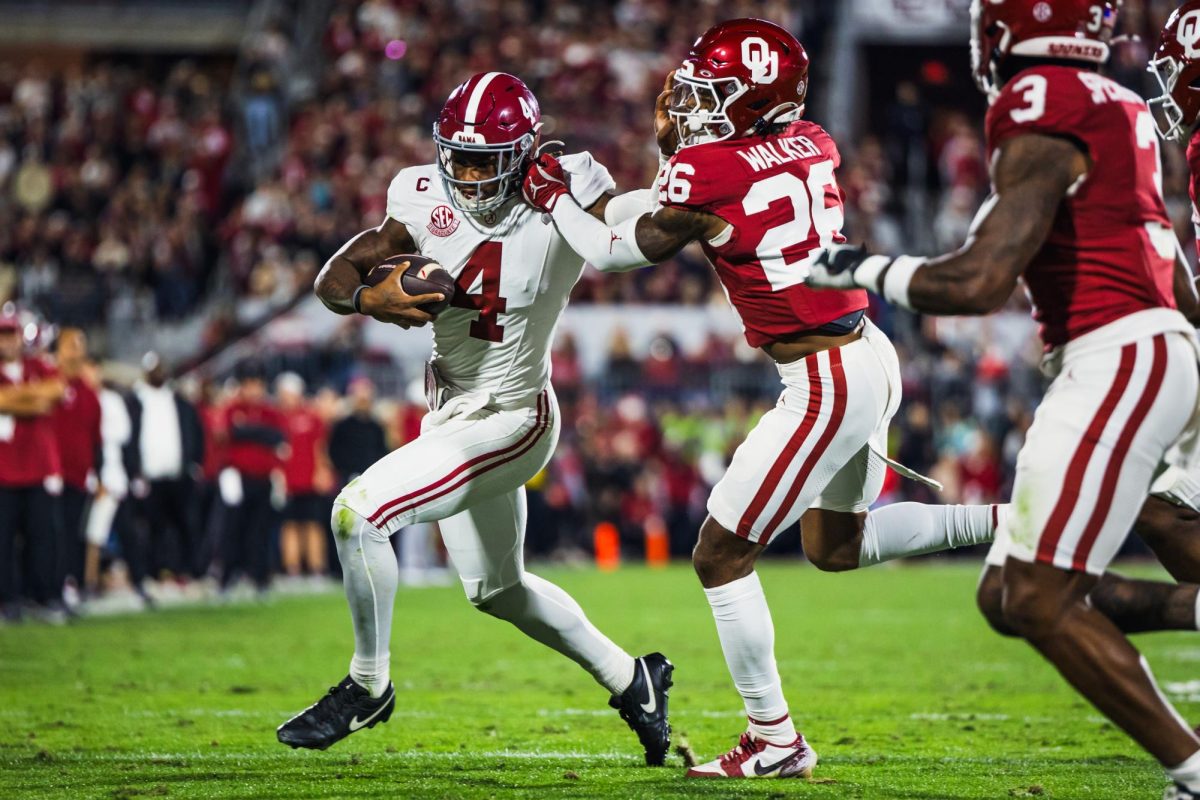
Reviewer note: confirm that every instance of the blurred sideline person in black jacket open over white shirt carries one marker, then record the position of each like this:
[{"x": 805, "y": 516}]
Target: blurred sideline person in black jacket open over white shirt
[{"x": 167, "y": 444}]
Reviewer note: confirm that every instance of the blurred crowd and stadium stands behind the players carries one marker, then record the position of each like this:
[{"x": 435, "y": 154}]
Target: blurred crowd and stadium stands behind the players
[{"x": 173, "y": 175}]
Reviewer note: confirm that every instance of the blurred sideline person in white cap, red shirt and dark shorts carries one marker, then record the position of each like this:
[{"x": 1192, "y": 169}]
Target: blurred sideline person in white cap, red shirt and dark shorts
[{"x": 309, "y": 479}]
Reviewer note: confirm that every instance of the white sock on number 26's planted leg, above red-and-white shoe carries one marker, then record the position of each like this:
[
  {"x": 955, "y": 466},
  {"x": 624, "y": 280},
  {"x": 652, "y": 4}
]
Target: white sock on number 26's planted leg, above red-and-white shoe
[{"x": 748, "y": 640}]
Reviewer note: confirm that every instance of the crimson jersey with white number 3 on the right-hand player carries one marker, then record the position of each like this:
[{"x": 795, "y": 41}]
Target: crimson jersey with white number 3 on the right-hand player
[{"x": 1112, "y": 250}]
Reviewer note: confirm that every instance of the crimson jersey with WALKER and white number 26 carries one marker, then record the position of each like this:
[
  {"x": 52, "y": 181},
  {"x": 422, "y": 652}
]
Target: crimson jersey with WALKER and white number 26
[{"x": 782, "y": 201}]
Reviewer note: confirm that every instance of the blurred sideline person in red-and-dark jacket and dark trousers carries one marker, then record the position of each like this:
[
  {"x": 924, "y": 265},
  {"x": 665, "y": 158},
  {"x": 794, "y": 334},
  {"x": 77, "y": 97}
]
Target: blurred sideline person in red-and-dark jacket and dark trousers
[{"x": 257, "y": 446}]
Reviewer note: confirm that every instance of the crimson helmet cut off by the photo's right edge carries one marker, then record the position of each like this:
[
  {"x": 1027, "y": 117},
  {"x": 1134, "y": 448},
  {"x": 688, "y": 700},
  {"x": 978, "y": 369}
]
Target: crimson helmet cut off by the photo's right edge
[{"x": 1177, "y": 64}]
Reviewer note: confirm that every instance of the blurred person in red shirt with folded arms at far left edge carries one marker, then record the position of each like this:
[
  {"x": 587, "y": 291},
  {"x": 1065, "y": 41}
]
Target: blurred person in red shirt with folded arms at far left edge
[{"x": 31, "y": 478}]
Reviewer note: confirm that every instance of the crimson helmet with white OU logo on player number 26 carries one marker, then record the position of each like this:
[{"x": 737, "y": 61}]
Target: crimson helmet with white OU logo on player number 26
[{"x": 739, "y": 77}]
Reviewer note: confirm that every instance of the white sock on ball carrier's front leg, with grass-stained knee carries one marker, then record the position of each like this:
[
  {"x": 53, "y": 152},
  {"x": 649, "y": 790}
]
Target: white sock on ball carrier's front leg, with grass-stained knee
[{"x": 370, "y": 574}]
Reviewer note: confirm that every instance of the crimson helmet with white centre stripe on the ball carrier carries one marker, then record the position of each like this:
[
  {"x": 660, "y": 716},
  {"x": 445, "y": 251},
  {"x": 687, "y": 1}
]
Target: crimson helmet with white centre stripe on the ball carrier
[{"x": 493, "y": 119}]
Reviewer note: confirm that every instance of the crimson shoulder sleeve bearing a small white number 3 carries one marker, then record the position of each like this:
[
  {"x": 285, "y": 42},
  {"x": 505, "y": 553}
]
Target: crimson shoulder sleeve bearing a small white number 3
[{"x": 1049, "y": 104}]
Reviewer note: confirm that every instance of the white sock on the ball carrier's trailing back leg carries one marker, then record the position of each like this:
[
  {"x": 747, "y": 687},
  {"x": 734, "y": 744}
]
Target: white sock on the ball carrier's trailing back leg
[{"x": 548, "y": 615}]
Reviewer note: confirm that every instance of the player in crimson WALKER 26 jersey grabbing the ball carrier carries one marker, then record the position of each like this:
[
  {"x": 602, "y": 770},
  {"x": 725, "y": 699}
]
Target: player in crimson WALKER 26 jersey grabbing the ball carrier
[{"x": 754, "y": 185}]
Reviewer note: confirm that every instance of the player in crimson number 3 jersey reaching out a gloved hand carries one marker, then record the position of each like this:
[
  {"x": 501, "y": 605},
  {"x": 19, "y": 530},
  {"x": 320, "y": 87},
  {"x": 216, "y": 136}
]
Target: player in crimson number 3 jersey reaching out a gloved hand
[{"x": 1077, "y": 210}]
